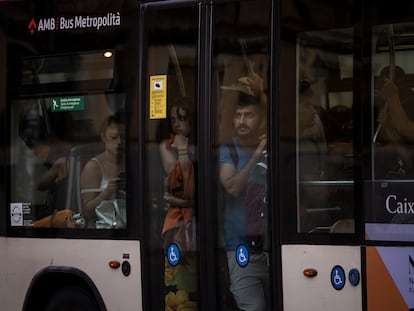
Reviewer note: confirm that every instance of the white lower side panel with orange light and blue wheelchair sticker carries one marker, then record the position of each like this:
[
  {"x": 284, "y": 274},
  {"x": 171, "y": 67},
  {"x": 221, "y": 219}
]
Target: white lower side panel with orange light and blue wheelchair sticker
[{"x": 318, "y": 293}]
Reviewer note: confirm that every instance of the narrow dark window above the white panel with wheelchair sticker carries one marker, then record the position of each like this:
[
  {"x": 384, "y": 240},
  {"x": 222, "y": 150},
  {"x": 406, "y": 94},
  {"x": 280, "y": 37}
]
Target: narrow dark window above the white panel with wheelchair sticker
[{"x": 325, "y": 132}]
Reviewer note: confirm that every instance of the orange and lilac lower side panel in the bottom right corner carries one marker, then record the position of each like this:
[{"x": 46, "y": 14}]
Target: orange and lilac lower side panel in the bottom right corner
[{"x": 390, "y": 278}]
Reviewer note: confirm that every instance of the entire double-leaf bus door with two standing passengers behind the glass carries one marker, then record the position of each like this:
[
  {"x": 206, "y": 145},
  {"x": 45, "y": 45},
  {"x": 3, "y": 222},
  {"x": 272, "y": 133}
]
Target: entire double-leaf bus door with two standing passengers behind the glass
[{"x": 206, "y": 113}]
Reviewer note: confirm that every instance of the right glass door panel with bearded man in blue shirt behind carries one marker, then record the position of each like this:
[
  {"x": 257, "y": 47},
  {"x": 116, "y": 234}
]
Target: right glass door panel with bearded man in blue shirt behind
[{"x": 241, "y": 77}]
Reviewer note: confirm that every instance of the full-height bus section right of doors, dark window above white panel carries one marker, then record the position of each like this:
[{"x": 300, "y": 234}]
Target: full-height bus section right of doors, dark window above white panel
[{"x": 318, "y": 175}]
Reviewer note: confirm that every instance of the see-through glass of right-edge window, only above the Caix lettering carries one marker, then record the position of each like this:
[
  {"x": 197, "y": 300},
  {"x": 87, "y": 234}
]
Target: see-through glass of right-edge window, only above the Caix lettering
[{"x": 392, "y": 77}]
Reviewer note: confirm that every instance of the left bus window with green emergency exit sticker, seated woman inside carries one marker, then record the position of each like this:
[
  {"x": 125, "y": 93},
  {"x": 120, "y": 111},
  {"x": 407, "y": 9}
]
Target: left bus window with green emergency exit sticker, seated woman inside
[{"x": 53, "y": 141}]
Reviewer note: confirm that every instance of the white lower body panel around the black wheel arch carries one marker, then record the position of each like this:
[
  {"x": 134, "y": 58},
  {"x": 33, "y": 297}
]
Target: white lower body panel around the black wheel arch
[{"x": 24, "y": 258}]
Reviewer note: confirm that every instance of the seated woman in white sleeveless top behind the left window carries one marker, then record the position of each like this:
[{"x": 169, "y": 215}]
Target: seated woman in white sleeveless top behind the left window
[{"x": 102, "y": 179}]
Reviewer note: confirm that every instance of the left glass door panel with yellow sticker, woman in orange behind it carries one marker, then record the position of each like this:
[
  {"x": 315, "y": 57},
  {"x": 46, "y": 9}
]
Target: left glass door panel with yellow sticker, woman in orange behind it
[{"x": 170, "y": 156}]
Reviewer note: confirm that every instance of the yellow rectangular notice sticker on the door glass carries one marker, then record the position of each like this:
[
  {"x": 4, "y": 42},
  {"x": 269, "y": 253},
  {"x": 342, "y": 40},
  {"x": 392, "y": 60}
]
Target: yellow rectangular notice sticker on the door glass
[{"x": 158, "y": 97}]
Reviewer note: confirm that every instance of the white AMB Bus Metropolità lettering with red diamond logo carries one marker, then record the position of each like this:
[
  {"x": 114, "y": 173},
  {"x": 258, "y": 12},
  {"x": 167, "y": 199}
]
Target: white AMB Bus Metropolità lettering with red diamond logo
[{"x": 74, "y": 22}]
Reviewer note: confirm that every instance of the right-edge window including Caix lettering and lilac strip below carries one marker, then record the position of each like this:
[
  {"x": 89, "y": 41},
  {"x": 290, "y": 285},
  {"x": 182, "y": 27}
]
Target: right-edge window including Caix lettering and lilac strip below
[{"x": 389, "y": 199}]
